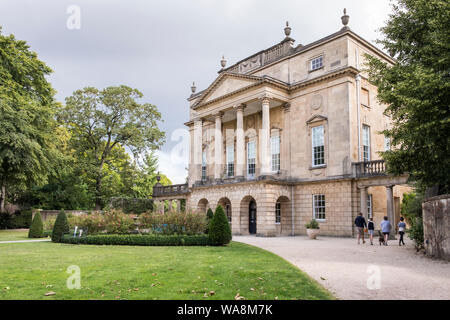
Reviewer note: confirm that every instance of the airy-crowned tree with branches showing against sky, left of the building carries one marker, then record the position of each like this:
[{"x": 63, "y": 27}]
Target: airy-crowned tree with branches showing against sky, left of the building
[{"x": 101, "y": 120}]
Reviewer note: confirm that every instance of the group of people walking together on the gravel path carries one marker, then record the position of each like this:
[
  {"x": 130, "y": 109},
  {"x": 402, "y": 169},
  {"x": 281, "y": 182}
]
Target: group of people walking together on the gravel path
[{"x": 385, "y": 227}]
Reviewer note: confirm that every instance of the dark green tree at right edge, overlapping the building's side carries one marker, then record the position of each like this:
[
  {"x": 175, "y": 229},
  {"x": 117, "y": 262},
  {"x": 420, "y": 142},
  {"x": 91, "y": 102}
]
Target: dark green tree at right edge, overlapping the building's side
[{"x": 416, "y": 91}]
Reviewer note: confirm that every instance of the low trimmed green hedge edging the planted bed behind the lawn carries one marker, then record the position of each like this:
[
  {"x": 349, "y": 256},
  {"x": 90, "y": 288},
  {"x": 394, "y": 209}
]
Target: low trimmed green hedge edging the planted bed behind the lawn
[{"x": 139, "y": 240}]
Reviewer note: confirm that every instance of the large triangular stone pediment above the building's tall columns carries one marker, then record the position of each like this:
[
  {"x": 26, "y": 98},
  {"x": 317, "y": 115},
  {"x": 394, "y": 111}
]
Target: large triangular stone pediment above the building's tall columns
[{"x": 225, "y": 84}]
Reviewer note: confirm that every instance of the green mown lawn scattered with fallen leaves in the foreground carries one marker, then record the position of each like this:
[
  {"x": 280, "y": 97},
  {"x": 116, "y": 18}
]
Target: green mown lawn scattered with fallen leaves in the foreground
[{"x": 29, "y": 270}]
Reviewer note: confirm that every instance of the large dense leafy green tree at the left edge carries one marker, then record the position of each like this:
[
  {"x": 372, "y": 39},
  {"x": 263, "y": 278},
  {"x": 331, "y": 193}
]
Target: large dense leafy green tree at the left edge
[{"x": 28, "y": 130}]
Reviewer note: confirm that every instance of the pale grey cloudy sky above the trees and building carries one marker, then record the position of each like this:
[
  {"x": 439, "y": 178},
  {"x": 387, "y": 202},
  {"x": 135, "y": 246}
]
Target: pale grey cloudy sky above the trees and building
[{"x": 161, "y": 47}]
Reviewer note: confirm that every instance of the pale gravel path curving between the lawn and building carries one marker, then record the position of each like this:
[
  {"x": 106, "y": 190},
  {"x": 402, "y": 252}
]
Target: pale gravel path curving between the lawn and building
[{"x": 351, "y": 271}]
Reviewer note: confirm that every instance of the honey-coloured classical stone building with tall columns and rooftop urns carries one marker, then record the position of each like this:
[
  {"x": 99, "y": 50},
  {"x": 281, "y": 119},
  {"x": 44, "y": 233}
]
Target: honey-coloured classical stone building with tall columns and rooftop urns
[{"x": 289, "y": 134}]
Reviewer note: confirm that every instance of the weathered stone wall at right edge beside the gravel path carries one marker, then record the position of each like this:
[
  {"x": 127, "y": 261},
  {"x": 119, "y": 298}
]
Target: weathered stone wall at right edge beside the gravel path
[{"x": 436, "y": 226}]
